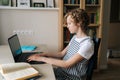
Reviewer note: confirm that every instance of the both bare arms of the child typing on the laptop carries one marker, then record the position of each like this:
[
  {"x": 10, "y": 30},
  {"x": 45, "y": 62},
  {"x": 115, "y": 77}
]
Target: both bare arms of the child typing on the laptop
[{"x": 57, "y": 62}]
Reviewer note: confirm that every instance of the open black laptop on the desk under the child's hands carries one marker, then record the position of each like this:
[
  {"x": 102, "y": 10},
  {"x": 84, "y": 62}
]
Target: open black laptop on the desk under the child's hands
[{"x": 17, "y": 52}]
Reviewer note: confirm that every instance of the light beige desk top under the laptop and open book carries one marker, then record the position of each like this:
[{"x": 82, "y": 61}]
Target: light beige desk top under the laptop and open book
[{"x": 45, "y": 69}]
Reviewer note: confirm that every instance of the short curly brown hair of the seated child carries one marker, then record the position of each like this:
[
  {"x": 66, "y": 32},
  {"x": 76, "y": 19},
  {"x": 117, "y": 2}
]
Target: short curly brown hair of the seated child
[{"x": 79, "y": 16}]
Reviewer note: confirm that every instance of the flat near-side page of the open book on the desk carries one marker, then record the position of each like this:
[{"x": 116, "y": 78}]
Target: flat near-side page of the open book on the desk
[{"x": 21, "y": 74}]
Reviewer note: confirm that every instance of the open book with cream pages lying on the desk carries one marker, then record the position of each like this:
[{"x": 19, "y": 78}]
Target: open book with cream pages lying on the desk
[{"x": 18, "y": 71}]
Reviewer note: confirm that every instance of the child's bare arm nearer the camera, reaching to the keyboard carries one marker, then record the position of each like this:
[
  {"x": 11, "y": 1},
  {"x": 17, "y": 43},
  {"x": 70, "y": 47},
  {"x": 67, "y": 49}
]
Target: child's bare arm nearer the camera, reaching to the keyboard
[{"x": 60, "y": 63}]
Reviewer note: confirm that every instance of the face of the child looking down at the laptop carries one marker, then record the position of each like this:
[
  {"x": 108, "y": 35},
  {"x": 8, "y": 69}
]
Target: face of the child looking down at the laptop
[{"x": 73, "y": 28}]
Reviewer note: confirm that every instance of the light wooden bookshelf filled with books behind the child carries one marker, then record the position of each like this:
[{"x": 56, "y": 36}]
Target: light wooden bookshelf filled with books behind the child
[{"x": 95, "y": 11}]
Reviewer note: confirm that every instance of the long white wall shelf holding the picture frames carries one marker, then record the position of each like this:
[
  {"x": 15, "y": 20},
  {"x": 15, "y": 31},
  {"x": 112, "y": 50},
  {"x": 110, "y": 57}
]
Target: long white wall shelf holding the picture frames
[{"x": 26, "y": 8}]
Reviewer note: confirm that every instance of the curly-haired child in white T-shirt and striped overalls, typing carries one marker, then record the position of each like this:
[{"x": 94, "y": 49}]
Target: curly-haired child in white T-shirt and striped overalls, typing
[{"x": 72, "y": 61}]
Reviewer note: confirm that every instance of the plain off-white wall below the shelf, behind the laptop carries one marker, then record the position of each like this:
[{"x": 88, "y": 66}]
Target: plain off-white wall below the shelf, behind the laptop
[{"x": 43, "y": 23}]
